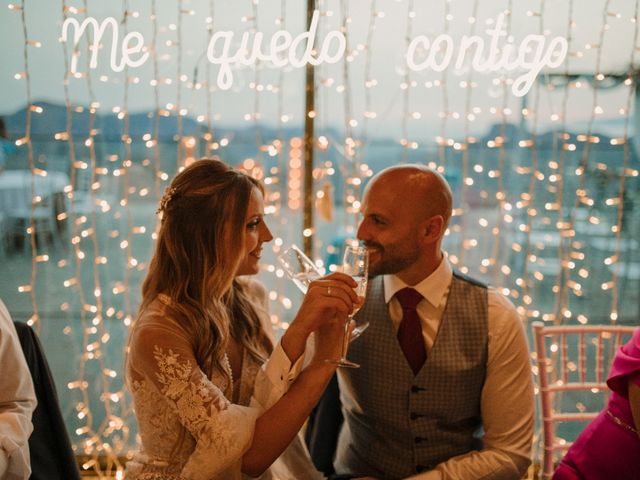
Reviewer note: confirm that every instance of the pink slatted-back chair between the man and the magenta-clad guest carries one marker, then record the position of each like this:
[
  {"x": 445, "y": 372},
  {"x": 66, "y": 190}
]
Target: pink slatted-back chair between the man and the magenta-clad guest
[{"x": 573, "y": 359}]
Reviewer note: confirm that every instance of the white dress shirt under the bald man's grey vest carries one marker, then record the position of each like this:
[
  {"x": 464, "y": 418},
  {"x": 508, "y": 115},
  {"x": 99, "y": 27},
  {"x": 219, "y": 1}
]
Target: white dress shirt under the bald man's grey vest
[{"x": 507, "y": 404}]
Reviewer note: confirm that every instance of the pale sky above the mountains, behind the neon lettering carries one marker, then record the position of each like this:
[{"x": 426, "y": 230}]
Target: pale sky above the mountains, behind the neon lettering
[{"x": 398, "y": 112}]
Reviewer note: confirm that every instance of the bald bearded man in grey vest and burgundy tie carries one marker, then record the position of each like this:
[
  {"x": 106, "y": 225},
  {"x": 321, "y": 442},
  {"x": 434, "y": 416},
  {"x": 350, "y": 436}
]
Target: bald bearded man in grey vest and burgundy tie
[{"x": 444, "y": 389}]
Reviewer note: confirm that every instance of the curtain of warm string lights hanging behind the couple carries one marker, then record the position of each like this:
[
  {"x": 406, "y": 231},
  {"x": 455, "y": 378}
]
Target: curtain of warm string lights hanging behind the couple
[{"x": 545, "y": 184}]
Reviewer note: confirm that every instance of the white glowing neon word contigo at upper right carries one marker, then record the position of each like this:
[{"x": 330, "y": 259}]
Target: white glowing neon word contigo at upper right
[{"x": 530, "y": 56}]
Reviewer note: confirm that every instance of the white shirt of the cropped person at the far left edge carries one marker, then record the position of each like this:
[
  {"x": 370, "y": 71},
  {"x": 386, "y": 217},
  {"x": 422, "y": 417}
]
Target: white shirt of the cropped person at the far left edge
[{"x": 17, "y": 403}]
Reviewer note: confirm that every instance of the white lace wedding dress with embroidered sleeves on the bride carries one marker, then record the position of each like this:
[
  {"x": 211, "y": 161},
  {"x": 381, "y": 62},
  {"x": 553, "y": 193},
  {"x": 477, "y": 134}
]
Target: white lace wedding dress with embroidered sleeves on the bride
[{"x": 195, "y": 426}]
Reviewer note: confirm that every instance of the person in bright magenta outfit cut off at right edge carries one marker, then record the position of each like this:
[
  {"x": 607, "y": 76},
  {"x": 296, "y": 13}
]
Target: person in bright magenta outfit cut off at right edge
[{"x": 609, "y": 448}]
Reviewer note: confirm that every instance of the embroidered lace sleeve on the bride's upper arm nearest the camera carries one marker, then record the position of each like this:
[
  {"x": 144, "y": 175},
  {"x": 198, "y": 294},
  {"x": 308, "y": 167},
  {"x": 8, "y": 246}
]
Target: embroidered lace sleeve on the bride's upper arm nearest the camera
[{"x": 162, "y": 356}]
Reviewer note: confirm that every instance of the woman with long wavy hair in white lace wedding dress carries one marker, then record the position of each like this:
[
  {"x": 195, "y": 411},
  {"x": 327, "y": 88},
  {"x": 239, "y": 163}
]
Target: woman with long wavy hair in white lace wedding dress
[{"x": 214, "y": 397}]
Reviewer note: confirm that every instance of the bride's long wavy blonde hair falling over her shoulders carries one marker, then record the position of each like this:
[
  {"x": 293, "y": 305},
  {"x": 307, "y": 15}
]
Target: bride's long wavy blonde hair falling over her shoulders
[{"x": 199, "y": 249}]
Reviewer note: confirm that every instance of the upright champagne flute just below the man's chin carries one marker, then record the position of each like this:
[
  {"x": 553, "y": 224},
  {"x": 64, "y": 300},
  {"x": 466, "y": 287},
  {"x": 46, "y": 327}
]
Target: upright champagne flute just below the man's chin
[{"x": 356, "y": 264}]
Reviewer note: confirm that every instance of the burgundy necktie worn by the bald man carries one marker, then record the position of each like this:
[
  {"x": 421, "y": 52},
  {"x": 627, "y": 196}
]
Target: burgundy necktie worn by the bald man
[{"x": 410, "y": 331}]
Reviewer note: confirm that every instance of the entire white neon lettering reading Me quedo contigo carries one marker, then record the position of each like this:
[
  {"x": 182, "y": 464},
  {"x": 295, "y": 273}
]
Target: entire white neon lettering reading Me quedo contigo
[{"x": 501, "y": 54}]
